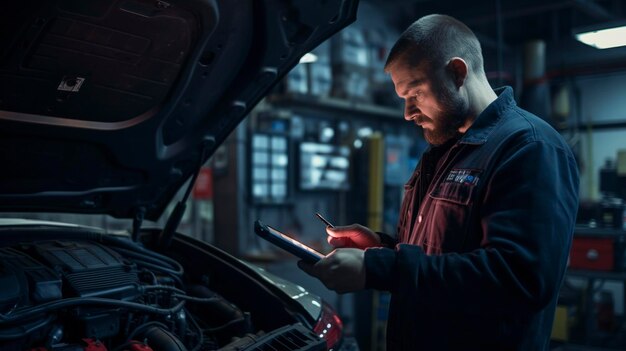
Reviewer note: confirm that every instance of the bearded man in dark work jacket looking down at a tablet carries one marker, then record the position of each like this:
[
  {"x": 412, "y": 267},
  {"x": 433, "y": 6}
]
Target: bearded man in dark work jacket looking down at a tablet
[{"x": 487, "y": 217}]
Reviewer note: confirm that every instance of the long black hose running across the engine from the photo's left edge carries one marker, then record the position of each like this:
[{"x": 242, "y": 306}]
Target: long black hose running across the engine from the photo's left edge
[{"x": 80, "y": 301}]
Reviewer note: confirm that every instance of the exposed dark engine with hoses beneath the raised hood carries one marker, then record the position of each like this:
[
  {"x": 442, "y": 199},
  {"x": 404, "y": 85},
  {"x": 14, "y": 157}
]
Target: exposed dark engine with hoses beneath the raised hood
[{"x": 82, "y": 295}]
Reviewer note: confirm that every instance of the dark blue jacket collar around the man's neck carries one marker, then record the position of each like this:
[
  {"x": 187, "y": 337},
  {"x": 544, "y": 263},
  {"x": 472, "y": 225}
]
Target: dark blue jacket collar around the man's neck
[{"x": 486, "y": 121}]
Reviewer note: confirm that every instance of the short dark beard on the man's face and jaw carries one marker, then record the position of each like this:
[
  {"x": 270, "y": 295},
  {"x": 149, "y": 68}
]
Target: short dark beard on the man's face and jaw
[{"x": 453, "y": 116}]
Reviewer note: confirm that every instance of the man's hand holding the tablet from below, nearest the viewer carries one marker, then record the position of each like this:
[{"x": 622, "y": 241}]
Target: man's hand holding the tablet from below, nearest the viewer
[{"x": 342, "y": 270}]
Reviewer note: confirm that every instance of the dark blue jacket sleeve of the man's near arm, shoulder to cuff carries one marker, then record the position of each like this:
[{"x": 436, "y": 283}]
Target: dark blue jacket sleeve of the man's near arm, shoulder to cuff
[{"x": 527, "y": 217}]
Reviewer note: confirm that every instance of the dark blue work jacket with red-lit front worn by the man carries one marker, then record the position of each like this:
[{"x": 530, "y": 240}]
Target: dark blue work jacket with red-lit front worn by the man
[{"x": 480, "y": 264}]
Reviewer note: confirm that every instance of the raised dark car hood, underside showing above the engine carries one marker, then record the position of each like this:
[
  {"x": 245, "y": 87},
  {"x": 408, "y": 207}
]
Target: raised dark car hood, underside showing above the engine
[{"x": 109, "y": 106}]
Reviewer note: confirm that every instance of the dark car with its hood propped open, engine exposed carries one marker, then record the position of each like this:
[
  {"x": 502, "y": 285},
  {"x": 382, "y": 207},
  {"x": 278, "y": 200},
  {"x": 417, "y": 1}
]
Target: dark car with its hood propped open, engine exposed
[{"x": 109, "y": 107}]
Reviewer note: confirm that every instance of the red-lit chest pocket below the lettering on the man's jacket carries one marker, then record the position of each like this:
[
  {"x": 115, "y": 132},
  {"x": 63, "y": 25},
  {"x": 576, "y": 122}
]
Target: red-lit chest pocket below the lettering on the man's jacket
[{"x": 448, "y": 213}]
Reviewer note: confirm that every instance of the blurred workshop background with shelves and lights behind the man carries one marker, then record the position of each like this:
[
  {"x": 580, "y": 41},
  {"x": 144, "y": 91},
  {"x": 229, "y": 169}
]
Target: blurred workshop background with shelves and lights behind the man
[{"x": 331, "y": 139}]
